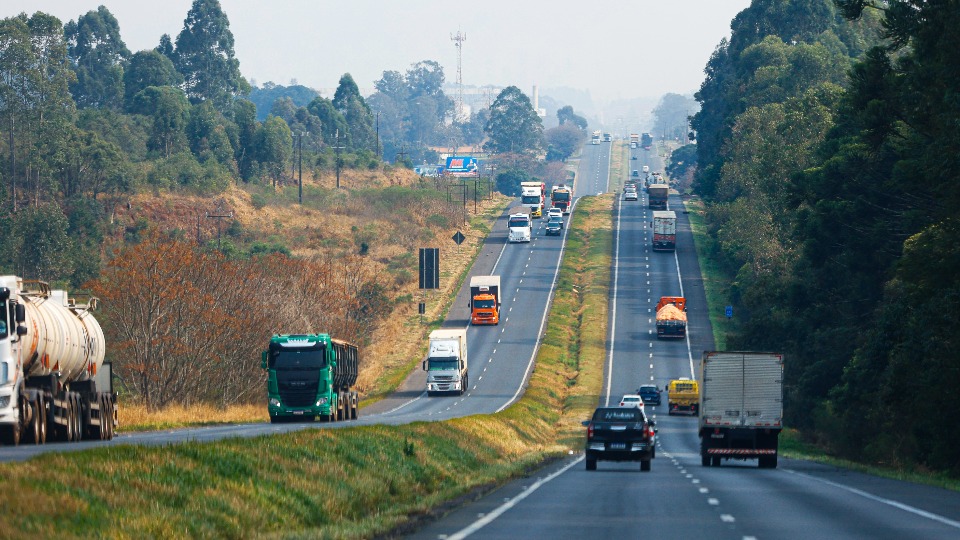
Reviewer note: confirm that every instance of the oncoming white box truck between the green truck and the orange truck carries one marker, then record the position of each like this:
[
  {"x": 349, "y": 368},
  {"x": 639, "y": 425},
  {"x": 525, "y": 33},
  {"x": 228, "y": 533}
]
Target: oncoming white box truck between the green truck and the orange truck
[{"x": 446, "y": 363}]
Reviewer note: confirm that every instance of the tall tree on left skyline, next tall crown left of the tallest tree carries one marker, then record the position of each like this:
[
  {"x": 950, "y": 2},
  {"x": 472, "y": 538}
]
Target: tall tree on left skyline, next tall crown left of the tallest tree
[{"x": 98, "y": 54}]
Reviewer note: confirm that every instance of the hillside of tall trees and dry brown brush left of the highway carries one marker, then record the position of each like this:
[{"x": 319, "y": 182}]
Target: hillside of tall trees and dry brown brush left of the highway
[{"x": 153, "y": 179}]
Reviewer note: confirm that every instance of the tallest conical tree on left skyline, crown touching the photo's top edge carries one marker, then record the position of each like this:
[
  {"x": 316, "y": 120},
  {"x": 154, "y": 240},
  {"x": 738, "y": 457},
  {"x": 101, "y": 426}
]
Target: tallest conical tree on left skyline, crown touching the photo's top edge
[{"x": 204, "y": 56}]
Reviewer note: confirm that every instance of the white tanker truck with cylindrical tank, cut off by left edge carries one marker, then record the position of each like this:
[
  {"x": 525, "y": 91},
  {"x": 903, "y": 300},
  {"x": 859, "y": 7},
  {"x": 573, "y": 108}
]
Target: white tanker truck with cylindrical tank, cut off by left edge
[{"x": 51, "y": 355}]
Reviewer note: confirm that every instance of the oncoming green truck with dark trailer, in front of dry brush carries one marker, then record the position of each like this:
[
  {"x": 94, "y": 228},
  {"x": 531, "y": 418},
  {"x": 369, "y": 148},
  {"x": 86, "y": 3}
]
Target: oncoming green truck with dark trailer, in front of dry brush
[{"x": 311, "y": 376}]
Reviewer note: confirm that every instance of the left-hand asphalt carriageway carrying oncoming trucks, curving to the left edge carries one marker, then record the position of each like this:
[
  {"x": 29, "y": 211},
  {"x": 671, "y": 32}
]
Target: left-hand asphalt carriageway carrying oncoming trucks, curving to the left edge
[{"x": 500, "y": 357}]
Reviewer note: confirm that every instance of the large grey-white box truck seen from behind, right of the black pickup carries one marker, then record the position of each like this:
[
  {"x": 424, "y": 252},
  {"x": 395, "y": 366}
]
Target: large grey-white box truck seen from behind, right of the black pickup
[{"x": 741, "y": 407}]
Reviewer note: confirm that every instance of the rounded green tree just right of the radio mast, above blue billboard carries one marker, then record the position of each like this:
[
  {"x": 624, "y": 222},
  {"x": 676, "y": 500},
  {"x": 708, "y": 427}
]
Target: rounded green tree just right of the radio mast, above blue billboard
[{"x": 513, "y": 126}]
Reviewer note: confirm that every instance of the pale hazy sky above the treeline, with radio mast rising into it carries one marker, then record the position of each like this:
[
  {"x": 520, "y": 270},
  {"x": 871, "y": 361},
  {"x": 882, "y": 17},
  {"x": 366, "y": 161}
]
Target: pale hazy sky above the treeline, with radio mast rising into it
[{"x": 614, "y": 49}]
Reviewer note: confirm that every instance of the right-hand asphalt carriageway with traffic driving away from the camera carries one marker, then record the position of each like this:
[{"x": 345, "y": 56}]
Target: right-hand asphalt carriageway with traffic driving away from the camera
[{"x": 680, "y": 499}]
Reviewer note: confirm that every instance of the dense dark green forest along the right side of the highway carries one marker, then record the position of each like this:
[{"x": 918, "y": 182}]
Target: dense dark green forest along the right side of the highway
[{"x": 828, "y": 156}]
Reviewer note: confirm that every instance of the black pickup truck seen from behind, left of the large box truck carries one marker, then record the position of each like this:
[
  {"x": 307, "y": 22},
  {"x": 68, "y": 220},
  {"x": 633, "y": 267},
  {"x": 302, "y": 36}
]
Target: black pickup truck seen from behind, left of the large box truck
[{"x": 619, "y": 434}]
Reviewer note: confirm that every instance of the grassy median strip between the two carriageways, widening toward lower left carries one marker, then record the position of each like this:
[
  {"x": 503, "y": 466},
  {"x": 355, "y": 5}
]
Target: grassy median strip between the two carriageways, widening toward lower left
[{"x": 353, "y": 482}]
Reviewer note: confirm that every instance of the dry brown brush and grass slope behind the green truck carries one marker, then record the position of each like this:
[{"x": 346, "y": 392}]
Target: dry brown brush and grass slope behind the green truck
[{"x": 343, "y": 243}]
